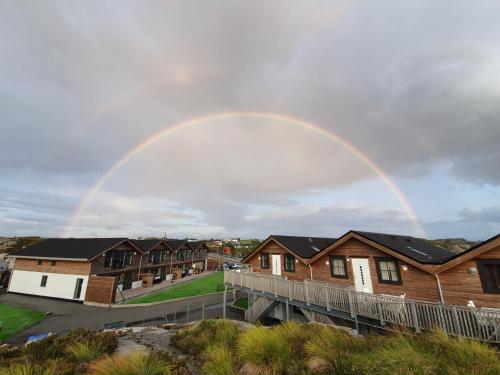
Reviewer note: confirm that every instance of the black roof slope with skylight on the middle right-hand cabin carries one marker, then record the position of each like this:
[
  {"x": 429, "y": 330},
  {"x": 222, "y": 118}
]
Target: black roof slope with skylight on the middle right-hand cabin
[{"x": 418, "y": 249}]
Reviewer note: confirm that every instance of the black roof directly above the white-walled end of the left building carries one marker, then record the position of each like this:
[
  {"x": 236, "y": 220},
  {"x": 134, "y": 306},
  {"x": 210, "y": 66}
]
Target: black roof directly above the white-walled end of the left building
[{"x": 69, "y": 248}]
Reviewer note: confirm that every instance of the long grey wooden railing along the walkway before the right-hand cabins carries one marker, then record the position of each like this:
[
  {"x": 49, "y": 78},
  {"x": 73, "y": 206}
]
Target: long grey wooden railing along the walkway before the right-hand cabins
[{"x": 482, "y": 324}]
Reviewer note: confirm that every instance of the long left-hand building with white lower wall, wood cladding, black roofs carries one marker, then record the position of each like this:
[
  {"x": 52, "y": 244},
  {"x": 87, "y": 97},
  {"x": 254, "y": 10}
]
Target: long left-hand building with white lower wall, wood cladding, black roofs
[{"x": 93, "y": 269}]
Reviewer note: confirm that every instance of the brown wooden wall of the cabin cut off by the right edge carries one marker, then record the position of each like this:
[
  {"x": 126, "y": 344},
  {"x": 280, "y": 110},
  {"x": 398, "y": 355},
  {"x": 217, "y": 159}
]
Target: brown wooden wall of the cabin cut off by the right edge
[{"x": 459, "y": 286}]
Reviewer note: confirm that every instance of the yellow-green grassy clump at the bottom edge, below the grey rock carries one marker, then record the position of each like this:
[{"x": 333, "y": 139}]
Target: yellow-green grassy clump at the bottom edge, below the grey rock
[{"x": 133, "y": 364}]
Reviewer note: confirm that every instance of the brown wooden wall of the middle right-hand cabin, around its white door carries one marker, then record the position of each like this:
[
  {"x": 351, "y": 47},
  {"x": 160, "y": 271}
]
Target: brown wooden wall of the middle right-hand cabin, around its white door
[{"x": 417, "y": 284}]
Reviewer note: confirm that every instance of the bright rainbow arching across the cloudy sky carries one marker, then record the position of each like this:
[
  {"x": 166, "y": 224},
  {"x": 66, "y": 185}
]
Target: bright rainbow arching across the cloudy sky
[{"x": 398, "y": 194}]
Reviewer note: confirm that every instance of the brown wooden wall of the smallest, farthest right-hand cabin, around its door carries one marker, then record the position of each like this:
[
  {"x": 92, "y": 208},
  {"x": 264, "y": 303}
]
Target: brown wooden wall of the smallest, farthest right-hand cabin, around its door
[{"x": 301, "y": 270}]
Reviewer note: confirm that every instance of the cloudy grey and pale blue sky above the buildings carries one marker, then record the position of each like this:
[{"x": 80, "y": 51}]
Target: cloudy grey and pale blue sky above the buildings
[{"x": 412, "y": 85}]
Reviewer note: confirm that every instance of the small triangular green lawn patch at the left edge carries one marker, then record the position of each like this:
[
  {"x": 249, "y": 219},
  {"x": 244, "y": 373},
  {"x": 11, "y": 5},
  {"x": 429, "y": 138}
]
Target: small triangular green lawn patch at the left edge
[{"x": 16, "y": 319}]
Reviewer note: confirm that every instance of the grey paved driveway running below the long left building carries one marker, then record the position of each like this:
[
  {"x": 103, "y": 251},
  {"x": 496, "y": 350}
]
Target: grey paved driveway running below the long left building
[{"x": 69, "y": 315}]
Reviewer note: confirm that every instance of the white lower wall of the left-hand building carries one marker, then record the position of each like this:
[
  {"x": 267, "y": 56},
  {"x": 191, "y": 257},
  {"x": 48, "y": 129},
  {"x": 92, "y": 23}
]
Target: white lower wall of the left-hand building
[{"x": 58, "y": 285}]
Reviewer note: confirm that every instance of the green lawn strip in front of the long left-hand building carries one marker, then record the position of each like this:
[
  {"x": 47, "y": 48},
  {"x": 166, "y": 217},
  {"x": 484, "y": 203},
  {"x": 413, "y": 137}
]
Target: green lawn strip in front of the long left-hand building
[{"x": 198, "y": 287}]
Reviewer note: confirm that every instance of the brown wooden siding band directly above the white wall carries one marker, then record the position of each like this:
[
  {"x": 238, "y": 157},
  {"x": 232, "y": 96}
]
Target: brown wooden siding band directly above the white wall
[{"x": 61, "y": 266}]
